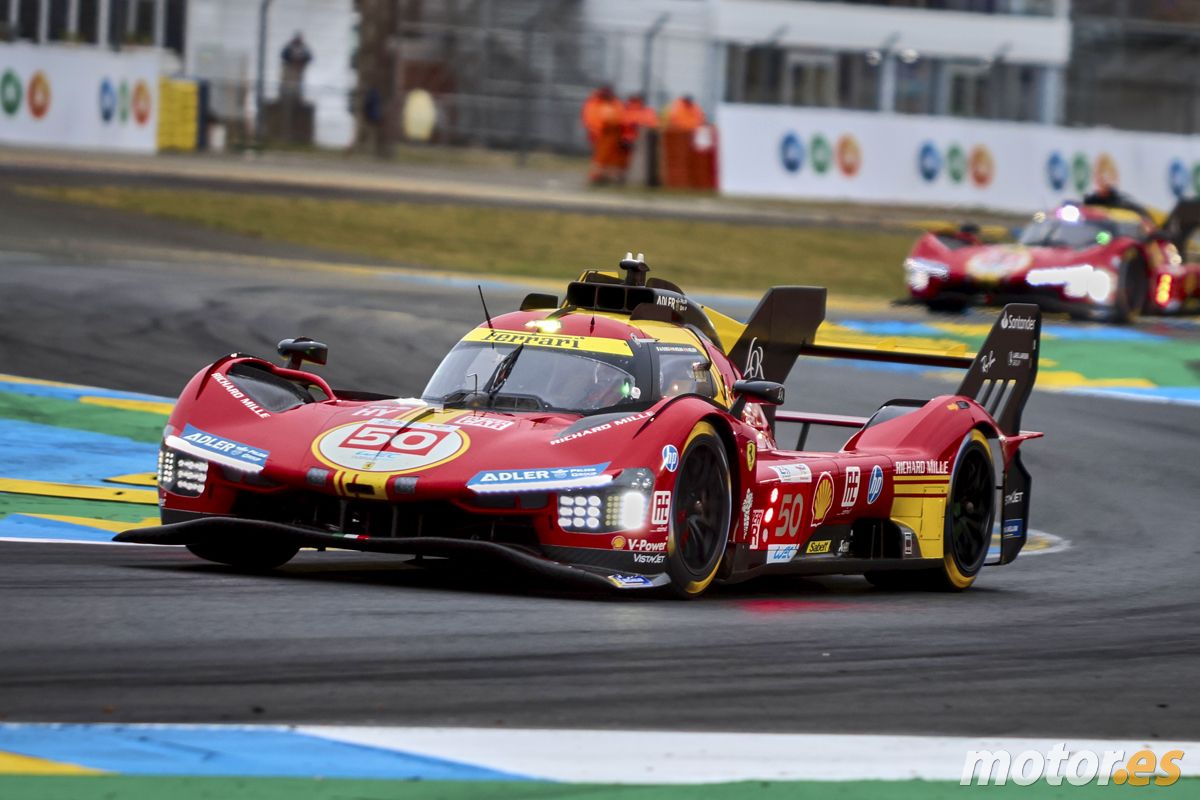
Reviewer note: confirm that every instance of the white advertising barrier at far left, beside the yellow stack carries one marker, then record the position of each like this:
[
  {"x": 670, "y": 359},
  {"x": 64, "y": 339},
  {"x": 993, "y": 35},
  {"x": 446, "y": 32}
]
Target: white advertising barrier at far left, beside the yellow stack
[{"x": 59, "y": 97}]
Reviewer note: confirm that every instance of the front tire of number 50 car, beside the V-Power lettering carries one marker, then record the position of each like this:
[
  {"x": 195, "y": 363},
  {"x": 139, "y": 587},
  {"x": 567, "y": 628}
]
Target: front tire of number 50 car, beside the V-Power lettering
[{"x": 701, "y": 513}]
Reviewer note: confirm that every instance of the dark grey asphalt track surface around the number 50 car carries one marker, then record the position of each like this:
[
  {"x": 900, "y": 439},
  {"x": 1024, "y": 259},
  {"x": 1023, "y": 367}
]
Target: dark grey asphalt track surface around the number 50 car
[{"x": 1097, "y": 641}]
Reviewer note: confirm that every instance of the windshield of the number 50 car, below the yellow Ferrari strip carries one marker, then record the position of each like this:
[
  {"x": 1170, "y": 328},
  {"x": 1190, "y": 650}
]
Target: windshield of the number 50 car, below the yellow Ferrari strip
[{"x": 523, "y": 378}]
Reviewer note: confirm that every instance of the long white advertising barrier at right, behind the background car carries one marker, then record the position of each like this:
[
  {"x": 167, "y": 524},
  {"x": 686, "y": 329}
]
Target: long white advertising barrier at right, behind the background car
[{"x": 873, "y": 158}]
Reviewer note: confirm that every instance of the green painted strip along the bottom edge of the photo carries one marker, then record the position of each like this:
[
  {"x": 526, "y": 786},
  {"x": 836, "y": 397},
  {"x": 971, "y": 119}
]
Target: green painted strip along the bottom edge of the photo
[{"x": 223, "y": 789}]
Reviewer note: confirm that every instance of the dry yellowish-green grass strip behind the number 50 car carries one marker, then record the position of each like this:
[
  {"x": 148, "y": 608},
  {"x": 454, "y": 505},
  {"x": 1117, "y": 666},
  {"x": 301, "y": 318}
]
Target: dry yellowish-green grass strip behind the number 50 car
[{"x": 535, "y": 243}]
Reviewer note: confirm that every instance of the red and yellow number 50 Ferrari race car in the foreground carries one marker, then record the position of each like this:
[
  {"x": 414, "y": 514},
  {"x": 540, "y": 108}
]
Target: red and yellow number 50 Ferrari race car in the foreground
[{"x": 625, "y": 436}]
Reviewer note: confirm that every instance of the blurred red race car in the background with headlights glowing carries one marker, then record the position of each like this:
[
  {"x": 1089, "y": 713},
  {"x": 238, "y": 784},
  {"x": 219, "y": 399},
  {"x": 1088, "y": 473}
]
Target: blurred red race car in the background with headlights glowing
[{"x": 1103, "y": 260}]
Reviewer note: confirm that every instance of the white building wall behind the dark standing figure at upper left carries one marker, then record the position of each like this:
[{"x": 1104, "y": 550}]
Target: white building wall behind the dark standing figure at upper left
[{"x": 223, "y": 45}]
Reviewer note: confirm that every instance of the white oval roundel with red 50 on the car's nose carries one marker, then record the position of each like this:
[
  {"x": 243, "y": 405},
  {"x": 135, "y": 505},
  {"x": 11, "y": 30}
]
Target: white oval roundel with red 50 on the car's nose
[{"x": 374, "y": 448}]
